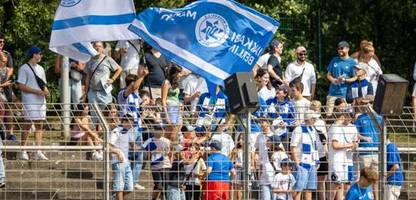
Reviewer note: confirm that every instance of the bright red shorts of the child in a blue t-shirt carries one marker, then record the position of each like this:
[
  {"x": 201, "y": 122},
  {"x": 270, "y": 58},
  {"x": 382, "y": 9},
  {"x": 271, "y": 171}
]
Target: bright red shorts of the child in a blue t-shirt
[{"x": 216, "y": 190}]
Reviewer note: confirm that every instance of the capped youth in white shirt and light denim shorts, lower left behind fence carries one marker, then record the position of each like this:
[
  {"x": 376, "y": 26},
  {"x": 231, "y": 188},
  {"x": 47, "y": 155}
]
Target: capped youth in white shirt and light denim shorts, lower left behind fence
[{"x": 120, "y": 139}]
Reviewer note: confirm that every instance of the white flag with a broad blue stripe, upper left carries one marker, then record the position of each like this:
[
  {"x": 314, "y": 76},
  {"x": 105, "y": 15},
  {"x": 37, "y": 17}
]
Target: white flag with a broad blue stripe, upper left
[{"x": 78, "y": 22}]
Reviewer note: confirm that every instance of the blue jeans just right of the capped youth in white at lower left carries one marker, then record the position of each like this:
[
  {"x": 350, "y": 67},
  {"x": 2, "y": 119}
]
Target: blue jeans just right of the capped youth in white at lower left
[{"x": 137, "y": 162}]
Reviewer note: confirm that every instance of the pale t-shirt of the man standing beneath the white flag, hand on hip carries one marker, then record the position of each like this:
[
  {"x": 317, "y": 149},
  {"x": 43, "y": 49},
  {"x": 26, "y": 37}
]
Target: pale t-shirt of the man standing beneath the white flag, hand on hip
[{"x": 103, "y": 72}]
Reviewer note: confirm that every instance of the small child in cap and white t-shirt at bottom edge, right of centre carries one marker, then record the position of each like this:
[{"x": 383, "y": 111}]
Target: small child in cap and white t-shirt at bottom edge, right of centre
[{"x": 284, "y": 181}]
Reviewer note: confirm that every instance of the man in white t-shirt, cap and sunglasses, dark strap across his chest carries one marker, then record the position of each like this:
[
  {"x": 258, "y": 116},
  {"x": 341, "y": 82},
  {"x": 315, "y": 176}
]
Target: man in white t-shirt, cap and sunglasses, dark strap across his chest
[{"x": 303, "y": 71}]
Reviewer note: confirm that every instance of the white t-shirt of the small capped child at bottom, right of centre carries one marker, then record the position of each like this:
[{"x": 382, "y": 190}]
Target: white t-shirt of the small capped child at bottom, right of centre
[{"x": 284, "y": 182}]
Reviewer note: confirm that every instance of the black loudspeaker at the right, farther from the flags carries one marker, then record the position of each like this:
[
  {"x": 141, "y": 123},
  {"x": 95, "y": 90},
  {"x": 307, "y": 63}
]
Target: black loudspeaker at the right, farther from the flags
[{"x": 390, "y": 94}]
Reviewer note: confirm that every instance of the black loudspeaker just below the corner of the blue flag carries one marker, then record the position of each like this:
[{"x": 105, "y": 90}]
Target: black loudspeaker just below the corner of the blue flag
[{"x": 242, "y": 93}]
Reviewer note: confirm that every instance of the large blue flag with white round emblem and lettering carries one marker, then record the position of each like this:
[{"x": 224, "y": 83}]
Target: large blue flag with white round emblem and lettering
[{"x": 213, "y": 38}]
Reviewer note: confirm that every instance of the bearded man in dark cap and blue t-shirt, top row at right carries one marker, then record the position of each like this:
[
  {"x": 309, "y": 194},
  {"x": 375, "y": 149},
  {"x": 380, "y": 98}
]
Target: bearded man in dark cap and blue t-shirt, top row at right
[{"x": 340, "y": 73}]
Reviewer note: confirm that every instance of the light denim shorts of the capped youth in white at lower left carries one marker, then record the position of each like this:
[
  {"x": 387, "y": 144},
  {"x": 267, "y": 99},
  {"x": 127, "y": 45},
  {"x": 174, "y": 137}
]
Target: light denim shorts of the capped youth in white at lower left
[{"x": 122, "y": 177}]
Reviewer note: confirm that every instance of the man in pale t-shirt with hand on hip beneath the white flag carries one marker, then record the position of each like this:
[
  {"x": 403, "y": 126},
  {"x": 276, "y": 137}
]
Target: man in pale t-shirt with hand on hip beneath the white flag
[{"x": 98, "y": 81}]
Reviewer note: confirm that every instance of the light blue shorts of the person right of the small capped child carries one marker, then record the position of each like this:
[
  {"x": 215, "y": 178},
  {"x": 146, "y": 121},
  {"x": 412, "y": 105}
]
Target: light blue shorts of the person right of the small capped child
[{"x": 306, "y": 178}]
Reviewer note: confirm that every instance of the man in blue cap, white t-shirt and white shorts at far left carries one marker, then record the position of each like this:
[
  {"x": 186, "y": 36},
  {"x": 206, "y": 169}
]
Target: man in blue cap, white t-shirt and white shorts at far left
[{"x": 32, "y": 82}]
